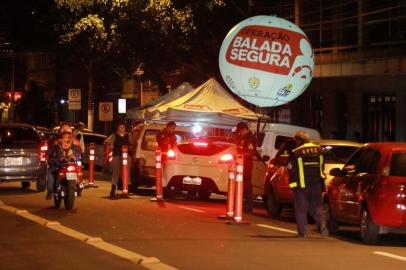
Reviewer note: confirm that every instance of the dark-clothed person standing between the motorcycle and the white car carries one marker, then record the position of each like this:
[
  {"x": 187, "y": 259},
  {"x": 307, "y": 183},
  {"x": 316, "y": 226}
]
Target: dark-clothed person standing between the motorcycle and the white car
[{"x": 117, "y": 140}]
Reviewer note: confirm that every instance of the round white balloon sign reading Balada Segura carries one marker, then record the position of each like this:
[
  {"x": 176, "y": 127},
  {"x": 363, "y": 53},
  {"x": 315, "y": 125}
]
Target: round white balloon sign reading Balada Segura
[{"x": 266, "y": 60}]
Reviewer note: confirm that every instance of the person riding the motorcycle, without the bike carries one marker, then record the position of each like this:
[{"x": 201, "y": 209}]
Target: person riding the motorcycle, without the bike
[{"x": 58, "y": 155}]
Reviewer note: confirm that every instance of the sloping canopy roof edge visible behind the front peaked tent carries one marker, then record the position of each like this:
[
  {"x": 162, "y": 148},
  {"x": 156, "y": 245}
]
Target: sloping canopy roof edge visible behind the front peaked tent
[{"x": 139, "y": 113}]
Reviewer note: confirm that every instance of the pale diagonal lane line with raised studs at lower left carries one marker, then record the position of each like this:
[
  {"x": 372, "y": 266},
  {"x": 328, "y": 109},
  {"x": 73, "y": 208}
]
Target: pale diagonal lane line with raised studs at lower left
[{"x": 151, "y": 263}]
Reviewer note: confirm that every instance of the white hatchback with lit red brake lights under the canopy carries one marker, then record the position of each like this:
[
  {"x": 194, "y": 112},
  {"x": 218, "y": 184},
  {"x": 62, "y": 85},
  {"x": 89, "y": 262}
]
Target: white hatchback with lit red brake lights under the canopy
[{"x": 201, "y": 165}]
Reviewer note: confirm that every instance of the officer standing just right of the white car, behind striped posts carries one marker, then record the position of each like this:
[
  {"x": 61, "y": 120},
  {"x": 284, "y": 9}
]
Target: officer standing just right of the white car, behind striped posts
[{"x": 247, "y": 147}]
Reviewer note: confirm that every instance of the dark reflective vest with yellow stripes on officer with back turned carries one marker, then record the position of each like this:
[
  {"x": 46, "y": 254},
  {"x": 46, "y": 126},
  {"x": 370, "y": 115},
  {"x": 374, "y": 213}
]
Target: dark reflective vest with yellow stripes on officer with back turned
[{"x": 307, "y": 166}]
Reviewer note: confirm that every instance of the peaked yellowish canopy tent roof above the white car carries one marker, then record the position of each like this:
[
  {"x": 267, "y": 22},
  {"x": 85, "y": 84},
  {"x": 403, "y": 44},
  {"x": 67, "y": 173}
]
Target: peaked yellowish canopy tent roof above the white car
[{"x": 208, "y": 103}]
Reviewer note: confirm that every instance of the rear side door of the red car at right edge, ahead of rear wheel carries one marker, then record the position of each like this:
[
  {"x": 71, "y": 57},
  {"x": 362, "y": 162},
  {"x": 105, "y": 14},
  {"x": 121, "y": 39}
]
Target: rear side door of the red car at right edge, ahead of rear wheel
[{"x": 352, "y": 189}]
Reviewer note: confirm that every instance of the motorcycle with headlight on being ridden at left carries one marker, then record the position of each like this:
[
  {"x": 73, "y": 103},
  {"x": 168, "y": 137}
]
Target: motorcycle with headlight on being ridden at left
[{"x": 65, "y": 185}]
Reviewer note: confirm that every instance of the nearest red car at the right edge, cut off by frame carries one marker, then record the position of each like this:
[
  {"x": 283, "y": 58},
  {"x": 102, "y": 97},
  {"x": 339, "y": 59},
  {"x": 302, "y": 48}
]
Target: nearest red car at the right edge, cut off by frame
[{"x": 370, "y": 191}]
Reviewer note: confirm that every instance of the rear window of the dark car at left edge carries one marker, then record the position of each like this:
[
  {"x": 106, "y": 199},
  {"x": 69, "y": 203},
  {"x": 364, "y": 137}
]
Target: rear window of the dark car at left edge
[{"x": 11, "y": 136}]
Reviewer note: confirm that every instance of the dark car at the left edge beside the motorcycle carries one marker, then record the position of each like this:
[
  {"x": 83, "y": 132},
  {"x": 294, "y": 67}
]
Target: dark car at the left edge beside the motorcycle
[{"x": 22, "y": 155}]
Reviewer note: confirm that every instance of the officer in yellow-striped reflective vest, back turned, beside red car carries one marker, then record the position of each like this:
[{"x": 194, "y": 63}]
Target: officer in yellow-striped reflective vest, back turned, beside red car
[{"x": 307, "y": 181}]
